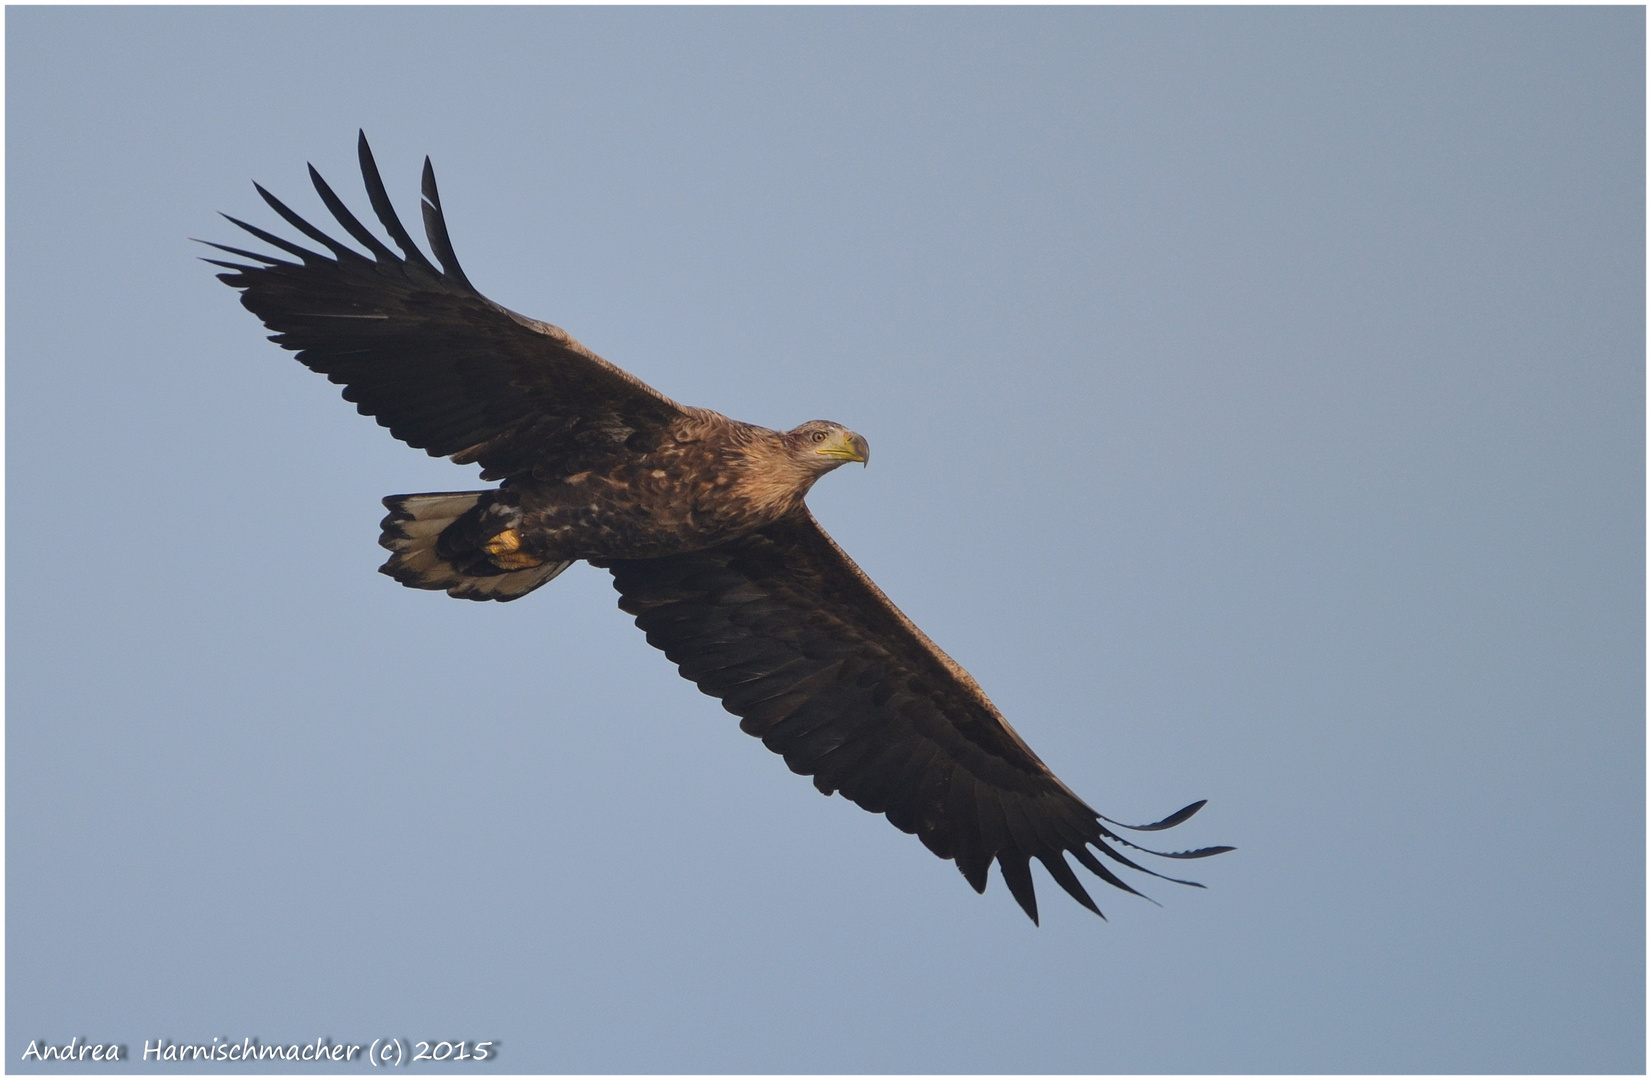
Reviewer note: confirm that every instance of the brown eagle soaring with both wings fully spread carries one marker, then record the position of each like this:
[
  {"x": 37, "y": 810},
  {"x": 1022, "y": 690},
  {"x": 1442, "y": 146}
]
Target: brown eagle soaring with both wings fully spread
[{"x": 703, "y": 523}]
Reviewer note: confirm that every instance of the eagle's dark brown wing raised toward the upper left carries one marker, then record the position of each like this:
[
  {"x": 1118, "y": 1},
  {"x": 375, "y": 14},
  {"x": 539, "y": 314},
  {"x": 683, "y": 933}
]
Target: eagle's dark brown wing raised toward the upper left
[{"x": 422, "y": 351}]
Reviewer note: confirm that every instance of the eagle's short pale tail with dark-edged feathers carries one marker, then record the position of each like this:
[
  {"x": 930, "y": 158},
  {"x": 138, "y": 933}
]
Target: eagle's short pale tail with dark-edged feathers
[{"x": 465, "y": 542}]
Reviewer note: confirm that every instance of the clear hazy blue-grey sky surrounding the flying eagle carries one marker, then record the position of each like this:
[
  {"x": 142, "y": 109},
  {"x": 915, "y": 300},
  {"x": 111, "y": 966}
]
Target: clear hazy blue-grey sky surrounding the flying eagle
[{"x": 1257, "y": 405}]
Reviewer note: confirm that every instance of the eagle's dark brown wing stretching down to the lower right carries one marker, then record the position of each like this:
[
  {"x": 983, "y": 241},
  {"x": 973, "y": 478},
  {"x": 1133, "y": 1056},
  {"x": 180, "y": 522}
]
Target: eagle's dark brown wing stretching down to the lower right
[{"x": 811, "y": 656}]
